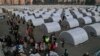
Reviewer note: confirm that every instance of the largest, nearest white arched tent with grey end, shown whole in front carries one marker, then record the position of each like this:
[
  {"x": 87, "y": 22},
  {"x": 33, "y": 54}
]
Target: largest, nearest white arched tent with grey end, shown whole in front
[{"x": 74, "y": 36}]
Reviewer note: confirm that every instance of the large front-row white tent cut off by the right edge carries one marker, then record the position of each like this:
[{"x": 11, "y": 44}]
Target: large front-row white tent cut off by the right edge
[{"x": 93, "y": 29}]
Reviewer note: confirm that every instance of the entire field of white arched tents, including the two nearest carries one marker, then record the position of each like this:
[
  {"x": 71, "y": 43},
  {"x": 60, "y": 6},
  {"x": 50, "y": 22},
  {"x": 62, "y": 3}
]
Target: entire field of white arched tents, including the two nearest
[{"x": 49, "y": 21}]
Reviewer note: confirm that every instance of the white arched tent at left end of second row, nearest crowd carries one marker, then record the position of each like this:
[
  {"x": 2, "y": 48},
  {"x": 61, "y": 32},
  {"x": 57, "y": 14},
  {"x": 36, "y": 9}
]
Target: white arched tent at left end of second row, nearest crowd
[{"x": 51, "y": 27}]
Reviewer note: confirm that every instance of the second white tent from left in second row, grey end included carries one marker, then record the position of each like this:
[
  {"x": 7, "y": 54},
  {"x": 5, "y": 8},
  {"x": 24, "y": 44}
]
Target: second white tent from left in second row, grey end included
[{"x": 70, "y": 23}]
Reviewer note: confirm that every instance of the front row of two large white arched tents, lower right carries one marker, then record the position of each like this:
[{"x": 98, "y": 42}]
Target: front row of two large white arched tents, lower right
[{"x": 80, "y": 35}]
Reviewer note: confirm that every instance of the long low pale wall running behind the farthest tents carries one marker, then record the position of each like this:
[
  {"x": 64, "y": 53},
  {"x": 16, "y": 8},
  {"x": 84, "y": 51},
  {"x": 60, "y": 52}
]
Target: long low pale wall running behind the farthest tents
[{"x": 42, "y": 6}]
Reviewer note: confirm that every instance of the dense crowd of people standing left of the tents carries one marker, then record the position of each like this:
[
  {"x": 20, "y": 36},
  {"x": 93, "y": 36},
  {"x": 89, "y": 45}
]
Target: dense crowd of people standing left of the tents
[{"x": 15, "y": 44}]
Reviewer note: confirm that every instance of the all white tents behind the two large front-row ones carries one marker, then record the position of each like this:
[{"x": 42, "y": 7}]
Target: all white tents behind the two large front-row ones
[{"x": 73, "y": 17}]
